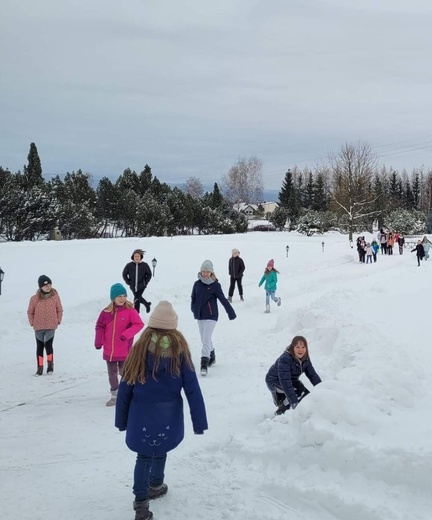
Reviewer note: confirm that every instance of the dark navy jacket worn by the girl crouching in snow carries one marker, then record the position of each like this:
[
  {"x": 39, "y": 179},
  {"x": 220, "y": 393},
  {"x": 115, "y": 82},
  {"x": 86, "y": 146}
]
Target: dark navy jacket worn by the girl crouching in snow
[{"x": 287, "y": 369}]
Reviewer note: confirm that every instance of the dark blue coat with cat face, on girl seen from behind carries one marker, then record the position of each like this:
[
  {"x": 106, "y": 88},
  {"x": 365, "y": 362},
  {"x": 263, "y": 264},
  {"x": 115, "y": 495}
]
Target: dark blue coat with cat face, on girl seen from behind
[{"x": 152, "y": 413}]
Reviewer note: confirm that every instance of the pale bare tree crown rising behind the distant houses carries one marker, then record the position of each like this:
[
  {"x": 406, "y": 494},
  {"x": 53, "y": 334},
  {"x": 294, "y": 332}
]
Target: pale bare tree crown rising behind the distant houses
[{"x": 244, "y": 181}]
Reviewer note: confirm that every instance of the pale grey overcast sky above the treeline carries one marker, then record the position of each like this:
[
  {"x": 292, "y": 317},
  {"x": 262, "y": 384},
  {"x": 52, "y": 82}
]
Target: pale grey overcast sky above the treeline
[{"x": 190, "y": 86}]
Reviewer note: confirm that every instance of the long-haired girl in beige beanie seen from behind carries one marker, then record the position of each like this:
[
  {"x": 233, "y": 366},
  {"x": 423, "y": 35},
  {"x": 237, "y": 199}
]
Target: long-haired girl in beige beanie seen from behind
[{"x": 150, "y": 406}]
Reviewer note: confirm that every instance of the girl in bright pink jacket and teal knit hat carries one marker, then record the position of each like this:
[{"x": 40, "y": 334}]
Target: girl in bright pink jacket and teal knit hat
[{"x": 115, "y": 329}]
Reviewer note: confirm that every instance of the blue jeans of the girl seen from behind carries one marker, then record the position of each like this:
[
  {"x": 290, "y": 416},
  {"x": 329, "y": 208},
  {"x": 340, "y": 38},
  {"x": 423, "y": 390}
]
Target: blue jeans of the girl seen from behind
[{"x": 149, "y": 471}]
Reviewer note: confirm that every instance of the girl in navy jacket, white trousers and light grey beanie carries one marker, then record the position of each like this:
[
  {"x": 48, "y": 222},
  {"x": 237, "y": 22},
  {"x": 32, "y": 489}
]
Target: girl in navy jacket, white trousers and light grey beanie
[{"x": 206, "y": 291}]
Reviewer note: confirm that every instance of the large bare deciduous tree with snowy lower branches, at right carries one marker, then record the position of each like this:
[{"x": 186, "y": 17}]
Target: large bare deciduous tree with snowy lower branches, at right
[{"x": 352, "y": 172}]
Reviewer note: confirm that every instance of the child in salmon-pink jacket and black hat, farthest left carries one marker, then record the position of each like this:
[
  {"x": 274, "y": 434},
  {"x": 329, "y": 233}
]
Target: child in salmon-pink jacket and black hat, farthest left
[{"x": 45, "y": 313}]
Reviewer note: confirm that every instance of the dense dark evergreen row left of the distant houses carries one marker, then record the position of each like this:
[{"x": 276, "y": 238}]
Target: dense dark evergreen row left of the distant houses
[{"x": 134, "y": 205}]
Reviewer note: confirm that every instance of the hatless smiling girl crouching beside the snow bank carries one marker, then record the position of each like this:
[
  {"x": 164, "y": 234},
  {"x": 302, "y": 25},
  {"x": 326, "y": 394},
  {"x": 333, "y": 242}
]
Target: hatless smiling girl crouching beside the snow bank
[{"x": 283, "y": 376}]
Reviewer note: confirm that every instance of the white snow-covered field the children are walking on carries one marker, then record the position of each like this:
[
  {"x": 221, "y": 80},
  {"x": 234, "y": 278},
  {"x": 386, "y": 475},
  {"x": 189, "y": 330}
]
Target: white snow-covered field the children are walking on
[{"x": 357, "y": 448}]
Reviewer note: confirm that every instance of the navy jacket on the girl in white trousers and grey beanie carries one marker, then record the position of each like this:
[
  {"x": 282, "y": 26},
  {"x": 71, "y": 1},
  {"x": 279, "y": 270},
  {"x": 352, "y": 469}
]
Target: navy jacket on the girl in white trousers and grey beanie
[{"x": 204, "y": 301}]
